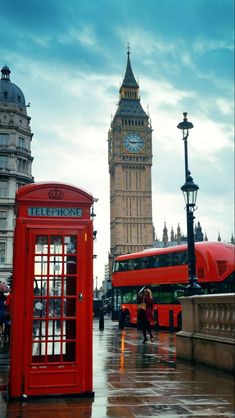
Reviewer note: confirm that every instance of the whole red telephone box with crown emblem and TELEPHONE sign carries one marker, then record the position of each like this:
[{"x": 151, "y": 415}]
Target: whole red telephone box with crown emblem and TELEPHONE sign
[{"x": 51, "y": 334}]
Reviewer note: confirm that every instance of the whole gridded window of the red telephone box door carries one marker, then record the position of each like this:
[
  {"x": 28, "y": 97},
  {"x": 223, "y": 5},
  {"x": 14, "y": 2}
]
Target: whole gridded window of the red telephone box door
[{"x": 54, "y": 304}]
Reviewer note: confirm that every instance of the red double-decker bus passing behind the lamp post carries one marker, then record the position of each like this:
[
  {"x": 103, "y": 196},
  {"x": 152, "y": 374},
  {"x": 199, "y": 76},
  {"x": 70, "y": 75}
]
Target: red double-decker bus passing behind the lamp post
[{"x": 165, "y": 272}]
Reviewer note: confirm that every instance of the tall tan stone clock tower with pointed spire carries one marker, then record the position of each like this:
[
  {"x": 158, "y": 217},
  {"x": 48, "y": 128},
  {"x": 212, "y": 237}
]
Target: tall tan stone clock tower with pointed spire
[{"x": 130, "y": 162}]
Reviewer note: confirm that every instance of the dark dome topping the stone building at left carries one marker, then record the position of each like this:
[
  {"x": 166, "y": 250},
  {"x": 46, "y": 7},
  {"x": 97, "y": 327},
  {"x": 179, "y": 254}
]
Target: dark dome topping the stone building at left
[{"x": 9, "y": 92}]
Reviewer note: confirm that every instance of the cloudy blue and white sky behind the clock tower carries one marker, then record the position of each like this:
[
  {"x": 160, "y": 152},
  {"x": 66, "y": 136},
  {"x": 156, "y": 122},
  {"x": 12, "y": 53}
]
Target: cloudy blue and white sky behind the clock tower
[{"x": 69, "y": 58}]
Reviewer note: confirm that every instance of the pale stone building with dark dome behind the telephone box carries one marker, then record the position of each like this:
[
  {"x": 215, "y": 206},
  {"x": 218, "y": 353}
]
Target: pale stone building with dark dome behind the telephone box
[{"x": 15, "y": 162}]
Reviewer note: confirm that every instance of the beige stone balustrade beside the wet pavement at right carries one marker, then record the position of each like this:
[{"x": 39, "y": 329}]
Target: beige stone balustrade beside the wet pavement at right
[{"x": 208, "y": 330}]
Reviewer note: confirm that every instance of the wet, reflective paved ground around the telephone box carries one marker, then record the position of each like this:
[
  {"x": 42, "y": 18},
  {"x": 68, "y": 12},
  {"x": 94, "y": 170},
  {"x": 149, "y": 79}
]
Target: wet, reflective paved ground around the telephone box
[{"x": 134, "y": 380}]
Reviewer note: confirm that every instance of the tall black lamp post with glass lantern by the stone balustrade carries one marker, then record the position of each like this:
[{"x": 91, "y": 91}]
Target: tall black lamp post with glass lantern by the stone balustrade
[{"x": 189, "y": 190}]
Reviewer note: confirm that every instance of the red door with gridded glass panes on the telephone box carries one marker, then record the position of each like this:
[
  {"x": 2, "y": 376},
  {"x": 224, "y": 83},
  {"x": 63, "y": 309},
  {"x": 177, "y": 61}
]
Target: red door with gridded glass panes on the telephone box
[{"x": 55, "y": 310}]
